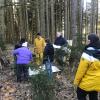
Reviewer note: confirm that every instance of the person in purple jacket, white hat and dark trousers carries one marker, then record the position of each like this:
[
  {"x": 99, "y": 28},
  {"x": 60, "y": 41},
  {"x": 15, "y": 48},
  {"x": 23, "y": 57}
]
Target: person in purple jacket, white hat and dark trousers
[{"x": 24, "y": 56}]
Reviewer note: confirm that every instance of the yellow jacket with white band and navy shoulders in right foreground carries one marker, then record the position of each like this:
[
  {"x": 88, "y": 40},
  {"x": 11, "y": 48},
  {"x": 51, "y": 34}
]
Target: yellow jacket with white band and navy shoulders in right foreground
[{"x": 88, "y": 73}]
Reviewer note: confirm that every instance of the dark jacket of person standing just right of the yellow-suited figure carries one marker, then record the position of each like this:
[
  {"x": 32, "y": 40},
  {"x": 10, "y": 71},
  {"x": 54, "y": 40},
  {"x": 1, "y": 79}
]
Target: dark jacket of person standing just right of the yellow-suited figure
[{"x": 48, "y": 52}]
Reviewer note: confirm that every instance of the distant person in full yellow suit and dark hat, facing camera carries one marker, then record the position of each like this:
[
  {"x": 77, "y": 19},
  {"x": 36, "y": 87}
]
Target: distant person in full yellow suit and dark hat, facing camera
[{"x": 39, "y": 45}]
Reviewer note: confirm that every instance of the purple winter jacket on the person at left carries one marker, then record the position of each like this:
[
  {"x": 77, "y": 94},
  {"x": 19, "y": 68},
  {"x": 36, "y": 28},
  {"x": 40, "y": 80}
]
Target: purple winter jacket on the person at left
[{"x": 24, "y": 55}]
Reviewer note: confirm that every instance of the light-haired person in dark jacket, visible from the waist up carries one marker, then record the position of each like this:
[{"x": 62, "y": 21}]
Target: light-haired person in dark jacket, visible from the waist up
[{"x": 60, "y": 41}]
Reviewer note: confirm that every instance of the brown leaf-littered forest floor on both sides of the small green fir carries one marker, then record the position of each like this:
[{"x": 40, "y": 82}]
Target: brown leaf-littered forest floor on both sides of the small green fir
[{"x": 12, "y": 90}]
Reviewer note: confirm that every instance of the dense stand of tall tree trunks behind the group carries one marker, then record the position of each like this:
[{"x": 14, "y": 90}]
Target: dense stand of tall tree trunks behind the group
[{"x": 24, "y": 18}]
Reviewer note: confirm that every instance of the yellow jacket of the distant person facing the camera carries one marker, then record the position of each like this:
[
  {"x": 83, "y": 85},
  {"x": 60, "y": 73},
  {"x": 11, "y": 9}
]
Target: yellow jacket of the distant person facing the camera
[{"x": 39, "y": 45}]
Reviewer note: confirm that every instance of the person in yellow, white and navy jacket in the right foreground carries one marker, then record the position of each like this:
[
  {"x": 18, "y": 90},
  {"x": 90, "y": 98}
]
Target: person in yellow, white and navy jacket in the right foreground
[{"x": 88, "y": 73}]
